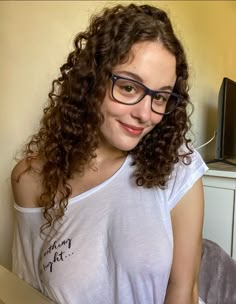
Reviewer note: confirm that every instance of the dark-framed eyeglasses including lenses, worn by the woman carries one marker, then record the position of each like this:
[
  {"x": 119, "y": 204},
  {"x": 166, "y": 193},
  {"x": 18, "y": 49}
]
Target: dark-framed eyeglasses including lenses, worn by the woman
[{"x": 128, "y": 91}]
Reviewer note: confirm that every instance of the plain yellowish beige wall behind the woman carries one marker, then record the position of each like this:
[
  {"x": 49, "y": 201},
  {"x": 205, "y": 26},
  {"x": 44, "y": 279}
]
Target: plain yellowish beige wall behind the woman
[{"x": 35, "y": 39}]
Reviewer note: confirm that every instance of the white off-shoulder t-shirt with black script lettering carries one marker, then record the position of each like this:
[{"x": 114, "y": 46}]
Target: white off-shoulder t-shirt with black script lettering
[{"x": 114, "y": 244}]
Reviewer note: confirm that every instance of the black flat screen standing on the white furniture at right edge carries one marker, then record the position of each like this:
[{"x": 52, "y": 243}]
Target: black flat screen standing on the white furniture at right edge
[{"x": 225, "y": 149}]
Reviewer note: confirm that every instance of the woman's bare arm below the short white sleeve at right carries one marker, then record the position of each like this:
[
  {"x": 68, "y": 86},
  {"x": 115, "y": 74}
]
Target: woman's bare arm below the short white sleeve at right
[{"x": 187, "y": 221}]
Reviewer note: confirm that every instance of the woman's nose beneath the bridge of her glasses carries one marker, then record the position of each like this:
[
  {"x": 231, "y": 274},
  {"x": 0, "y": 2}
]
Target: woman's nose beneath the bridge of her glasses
[{"x": 142, "y": 110}]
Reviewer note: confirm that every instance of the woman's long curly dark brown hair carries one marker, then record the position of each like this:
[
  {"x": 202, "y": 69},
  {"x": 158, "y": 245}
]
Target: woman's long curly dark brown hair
[{"x": 68, "y": 136}]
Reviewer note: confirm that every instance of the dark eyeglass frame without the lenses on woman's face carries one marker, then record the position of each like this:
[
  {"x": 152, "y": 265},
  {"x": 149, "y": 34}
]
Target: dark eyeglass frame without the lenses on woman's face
[{"x": 147, "y": 91}]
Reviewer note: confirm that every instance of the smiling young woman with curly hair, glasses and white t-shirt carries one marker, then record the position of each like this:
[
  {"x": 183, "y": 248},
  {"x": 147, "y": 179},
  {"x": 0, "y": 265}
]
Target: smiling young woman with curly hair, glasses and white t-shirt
[{"x": 108, "y": 199}]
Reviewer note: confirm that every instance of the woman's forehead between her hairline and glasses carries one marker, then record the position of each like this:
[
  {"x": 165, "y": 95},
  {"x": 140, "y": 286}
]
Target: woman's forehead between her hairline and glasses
[{"x": 152, "y": 62}]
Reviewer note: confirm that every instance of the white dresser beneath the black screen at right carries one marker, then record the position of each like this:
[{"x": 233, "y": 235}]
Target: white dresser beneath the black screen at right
[{"x": 220, "y": 212}]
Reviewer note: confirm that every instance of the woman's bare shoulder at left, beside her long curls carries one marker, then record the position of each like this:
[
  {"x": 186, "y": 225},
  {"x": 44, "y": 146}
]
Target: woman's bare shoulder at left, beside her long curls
[{"x": 27, "y": 183}]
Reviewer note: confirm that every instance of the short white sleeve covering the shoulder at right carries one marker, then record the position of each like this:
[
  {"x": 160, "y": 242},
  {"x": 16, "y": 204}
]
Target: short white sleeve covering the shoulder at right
[{"x": 183, "y": 177}]
